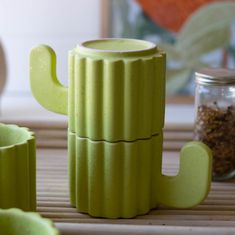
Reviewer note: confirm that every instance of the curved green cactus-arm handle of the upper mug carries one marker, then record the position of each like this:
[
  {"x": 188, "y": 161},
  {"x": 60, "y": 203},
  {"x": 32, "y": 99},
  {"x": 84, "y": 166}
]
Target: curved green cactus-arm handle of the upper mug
[{"x": 43, "y": 80}]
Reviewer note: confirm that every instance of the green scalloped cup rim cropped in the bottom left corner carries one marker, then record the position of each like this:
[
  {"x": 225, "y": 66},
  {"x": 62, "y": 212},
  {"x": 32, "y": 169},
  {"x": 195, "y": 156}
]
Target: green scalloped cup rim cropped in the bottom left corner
[{"x": 17, "y": 222}]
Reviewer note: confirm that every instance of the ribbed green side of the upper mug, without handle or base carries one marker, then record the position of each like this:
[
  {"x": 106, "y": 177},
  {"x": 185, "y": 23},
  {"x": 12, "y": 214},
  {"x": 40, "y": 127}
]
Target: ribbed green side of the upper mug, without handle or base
[{"x": 116, "y": 99}]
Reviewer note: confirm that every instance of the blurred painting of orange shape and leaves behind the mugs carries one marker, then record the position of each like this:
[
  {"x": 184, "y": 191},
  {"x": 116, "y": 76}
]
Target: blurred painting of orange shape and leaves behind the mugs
[{"x": 194, "y": 34}]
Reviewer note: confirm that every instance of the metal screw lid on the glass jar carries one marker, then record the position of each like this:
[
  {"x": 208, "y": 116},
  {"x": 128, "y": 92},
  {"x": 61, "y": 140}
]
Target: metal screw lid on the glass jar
[{"x": 215, "y": 76}]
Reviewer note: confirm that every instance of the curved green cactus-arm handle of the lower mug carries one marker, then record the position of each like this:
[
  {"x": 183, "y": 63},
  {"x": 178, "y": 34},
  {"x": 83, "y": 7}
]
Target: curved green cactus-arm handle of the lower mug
[{"x": 192, "y": 183}]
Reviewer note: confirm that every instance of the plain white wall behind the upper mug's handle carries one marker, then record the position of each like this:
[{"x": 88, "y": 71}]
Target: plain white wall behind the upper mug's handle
[{"x": 60, "y": 23}]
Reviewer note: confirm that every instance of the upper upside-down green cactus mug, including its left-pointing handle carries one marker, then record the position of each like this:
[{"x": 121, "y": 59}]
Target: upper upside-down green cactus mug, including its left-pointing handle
[{"x": 116, "y": 88}]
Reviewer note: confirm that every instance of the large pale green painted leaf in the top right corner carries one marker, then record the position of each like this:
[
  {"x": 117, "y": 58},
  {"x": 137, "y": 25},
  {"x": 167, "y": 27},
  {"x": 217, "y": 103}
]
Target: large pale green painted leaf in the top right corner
[{"x": 207, "y": 29}]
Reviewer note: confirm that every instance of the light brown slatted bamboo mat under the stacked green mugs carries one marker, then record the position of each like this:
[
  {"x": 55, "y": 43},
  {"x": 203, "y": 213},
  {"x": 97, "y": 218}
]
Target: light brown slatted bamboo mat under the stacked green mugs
[{"x": 216, "y": 215}]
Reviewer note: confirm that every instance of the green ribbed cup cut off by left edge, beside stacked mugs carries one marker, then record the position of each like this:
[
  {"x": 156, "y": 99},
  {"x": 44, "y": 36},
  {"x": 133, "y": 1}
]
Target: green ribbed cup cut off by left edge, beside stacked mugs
[{"x": 17, "y": 168}]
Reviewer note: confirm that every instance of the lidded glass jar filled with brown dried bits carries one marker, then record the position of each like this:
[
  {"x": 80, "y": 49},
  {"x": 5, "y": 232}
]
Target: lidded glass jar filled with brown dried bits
[{"x": 215, "y": 118}]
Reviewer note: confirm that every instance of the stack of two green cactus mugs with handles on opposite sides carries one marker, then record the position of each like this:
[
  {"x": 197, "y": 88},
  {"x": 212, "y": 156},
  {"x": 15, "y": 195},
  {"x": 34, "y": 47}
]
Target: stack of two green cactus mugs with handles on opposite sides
[{"x": 115, "y": 104}]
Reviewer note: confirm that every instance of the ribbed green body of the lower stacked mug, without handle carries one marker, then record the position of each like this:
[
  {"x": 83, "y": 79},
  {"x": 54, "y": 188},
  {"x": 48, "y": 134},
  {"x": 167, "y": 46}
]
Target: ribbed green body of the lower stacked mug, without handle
[{"x": 114, "y": 180}]
